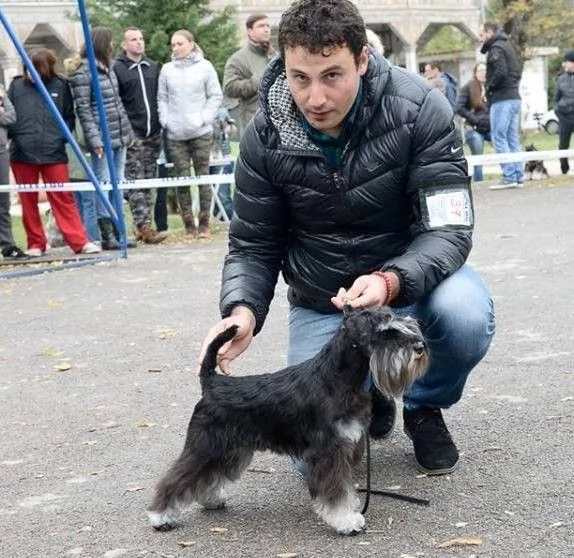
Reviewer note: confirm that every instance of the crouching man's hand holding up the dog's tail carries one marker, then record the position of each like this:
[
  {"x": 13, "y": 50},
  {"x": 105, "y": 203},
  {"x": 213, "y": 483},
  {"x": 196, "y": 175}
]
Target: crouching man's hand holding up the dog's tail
[{"x": 242, "y": 317}]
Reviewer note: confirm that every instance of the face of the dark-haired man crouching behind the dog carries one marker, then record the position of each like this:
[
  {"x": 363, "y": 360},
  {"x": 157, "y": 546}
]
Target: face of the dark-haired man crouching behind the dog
[{"x": 324, "y": 85}]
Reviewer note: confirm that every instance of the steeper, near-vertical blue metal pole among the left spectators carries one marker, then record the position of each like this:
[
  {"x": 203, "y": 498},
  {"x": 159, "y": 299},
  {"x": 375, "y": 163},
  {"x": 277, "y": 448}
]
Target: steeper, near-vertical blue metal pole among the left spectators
[{"x": 118, "y": 215}]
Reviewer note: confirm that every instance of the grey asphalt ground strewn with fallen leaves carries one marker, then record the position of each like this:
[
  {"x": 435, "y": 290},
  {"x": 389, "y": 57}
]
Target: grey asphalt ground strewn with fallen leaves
[{"x": 97, "y": 385}]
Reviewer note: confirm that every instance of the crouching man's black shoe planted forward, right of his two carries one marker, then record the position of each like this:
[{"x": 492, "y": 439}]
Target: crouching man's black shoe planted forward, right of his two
[{"x": 435, "y": 452}]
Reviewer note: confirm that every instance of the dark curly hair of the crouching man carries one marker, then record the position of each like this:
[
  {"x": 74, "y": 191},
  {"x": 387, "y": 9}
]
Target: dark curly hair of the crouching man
[{"x": 318, "y": 25}]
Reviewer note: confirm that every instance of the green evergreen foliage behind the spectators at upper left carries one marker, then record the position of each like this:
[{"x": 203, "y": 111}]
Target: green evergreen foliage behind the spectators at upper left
[{"x": 215, "y": 32}]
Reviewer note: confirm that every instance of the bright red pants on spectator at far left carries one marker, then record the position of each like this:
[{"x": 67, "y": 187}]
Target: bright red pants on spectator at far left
[{"x": 62, "y": 203}]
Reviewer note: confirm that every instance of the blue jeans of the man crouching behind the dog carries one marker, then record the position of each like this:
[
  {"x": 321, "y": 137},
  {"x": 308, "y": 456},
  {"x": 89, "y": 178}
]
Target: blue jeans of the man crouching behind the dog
[{"x": 457, "y": 320}]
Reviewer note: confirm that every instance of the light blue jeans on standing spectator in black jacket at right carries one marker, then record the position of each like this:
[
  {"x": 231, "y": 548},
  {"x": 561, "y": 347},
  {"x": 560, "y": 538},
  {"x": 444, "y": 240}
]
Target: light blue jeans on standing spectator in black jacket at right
[{"x": 505, "y": 132}]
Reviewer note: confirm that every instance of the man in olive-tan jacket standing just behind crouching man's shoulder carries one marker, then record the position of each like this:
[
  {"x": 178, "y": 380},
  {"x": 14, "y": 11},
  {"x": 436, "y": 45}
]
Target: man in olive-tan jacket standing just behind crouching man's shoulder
[{"x": 245, "y": 67}]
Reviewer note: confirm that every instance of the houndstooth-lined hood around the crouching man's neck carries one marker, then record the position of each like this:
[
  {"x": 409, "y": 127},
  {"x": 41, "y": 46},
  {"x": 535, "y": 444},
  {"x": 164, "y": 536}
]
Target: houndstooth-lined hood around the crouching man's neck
[{"x": 280, "y": 109}]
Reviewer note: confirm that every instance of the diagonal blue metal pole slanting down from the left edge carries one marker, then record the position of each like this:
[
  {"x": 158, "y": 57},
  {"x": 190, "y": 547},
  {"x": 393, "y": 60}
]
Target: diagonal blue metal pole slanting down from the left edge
[{"x": 55, "y": 112}]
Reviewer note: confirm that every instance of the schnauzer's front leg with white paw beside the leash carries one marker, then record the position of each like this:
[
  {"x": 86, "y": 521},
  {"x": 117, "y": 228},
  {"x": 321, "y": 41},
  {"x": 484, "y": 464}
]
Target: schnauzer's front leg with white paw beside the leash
[{"x": 331, "y": 487}]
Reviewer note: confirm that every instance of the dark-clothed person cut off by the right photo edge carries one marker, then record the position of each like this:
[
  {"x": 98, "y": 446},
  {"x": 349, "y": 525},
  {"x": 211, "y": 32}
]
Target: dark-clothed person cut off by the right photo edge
[{"x": 564, "y": 107}]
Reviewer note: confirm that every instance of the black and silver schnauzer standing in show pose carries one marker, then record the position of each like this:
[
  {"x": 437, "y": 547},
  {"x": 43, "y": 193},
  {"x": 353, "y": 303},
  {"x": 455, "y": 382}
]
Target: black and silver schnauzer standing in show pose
[{"x": 317, "y": 411}]
